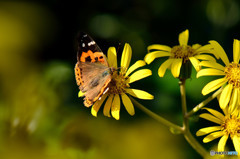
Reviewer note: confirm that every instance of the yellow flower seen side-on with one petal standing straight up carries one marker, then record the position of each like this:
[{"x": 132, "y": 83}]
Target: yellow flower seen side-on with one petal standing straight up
[{"x": 178, "y": 55}]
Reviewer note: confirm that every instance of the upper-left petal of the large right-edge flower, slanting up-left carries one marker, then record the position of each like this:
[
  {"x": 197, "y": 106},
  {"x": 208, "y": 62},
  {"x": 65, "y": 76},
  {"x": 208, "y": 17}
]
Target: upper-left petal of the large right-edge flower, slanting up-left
[{"x": 219, "y": 50}]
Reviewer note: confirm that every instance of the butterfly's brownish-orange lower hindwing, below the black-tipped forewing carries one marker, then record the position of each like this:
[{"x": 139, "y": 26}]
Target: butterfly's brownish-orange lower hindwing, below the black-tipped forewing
[{"x": 94, "y": 81}]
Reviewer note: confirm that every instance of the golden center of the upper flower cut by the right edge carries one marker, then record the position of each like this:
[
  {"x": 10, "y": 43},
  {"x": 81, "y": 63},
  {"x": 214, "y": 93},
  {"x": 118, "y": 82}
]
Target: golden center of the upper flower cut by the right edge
[{"x": 233, "y": 74}]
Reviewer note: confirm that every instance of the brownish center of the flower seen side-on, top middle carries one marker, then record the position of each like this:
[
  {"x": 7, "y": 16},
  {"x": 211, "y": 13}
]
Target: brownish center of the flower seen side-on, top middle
[{"x": 183, "y": 52}]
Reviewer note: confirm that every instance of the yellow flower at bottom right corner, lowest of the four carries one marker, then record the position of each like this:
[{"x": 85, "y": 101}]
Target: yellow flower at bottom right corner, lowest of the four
[{"x": 229, "y": 125}]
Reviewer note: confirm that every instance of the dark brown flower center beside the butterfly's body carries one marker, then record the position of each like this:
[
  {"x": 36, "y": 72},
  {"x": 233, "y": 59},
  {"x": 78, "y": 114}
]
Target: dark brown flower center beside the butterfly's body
[{"x": 118, "y": 83}]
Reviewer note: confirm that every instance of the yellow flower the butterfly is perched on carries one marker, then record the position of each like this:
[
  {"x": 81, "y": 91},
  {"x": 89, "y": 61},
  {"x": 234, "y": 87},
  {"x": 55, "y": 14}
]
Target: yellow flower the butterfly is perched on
[{"x": 120, "y": 84}]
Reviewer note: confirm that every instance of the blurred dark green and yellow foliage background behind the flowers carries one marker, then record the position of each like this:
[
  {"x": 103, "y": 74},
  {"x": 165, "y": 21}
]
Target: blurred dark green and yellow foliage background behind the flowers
[{"x": 40, "y": 114}]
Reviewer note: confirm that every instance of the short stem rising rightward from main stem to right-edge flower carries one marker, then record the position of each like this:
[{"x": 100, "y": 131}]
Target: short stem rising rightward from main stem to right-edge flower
[{"x": 203, "y": 103}]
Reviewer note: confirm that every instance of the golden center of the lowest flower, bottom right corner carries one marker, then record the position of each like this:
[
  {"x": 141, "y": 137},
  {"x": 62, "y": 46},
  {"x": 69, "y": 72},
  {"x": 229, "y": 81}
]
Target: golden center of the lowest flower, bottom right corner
[{"x": 231, "y": 126}]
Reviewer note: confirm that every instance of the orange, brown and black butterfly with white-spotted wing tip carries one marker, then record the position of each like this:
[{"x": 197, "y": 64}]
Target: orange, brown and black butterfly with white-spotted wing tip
[{"x": 92, "y": 71}]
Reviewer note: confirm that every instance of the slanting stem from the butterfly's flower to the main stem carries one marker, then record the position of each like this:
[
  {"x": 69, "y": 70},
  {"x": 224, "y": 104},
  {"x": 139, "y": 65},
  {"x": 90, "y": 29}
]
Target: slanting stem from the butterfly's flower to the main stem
[{"x": 156, "y": 116}]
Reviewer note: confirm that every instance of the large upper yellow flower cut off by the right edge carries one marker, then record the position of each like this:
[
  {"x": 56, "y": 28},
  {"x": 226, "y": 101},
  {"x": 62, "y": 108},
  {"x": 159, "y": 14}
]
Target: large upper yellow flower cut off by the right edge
[{"x": 230, "y": 72}]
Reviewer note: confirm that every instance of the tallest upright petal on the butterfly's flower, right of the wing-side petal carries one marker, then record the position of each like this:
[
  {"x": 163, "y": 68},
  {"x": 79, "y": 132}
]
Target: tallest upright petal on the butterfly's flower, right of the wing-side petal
[{"x": 126, "y": 56}]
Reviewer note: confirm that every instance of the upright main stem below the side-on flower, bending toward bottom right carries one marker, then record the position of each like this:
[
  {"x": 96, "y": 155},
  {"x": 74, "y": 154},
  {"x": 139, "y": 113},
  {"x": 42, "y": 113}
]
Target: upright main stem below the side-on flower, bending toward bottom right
[{"x": 186, "y": 131}]
